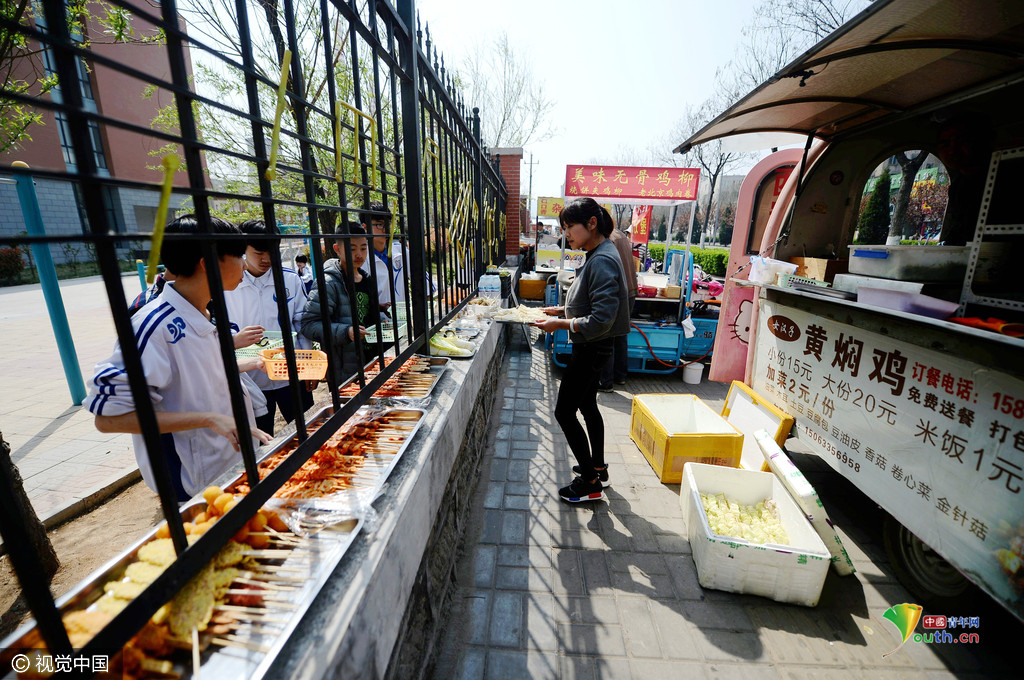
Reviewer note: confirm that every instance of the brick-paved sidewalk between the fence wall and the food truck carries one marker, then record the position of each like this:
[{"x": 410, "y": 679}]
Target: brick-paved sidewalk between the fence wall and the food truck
[{"x": 610, "y": 590}]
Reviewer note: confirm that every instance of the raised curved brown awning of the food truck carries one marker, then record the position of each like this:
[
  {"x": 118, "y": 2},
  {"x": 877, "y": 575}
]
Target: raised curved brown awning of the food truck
[{"x": 897, "y": 58}]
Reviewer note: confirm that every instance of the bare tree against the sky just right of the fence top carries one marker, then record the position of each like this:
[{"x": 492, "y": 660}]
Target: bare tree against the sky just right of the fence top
[{"x": 515, "y": 106}]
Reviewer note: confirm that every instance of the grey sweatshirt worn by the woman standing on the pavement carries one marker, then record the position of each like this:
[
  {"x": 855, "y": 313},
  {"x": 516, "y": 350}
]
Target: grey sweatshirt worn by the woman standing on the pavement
[{"x": 598, "y": 299}]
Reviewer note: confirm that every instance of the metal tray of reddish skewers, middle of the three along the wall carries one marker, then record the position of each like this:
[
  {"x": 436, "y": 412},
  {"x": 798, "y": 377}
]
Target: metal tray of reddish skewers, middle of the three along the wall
[{"x": 357, "y": 460}]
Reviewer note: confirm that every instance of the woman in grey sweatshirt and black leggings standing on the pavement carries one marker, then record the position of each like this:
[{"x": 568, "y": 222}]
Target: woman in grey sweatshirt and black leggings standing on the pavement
[{"x": 596, "y": 311}]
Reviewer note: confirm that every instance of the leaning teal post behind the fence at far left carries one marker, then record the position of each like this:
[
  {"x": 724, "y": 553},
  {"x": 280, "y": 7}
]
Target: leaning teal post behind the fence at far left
[{"x": 49, "y": 281}]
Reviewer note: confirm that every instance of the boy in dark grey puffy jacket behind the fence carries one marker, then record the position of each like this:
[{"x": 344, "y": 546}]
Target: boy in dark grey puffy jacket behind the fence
[{"x": 344, "y": 315}]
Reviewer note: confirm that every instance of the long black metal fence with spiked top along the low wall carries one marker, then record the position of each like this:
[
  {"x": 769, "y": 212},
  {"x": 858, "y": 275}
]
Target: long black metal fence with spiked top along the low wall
[{"x": 368, "y": 117}]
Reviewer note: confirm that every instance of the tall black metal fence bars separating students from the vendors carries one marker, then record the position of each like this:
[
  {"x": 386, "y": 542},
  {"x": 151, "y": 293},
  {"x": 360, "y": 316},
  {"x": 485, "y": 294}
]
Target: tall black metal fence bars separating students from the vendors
[{"x": 410, "y": 104}]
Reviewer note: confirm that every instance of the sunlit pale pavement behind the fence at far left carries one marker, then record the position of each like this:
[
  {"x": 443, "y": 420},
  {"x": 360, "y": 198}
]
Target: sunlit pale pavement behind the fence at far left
[{"x": 67, "y": 465}]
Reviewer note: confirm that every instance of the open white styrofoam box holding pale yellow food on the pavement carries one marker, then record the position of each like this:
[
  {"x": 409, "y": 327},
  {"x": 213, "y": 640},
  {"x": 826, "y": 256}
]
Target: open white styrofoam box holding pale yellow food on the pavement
[{"x": 794, "y": 573}]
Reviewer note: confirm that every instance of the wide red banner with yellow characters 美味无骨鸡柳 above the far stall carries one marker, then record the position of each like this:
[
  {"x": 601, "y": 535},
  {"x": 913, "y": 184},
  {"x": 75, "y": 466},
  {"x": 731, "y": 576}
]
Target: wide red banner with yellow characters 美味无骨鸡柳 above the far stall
[{"x": 614, "y": 182}]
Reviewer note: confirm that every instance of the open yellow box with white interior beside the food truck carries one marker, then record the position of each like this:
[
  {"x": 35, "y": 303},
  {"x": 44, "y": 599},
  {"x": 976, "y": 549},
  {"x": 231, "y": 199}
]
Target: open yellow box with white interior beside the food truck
[{"x": 672, "y": 431}]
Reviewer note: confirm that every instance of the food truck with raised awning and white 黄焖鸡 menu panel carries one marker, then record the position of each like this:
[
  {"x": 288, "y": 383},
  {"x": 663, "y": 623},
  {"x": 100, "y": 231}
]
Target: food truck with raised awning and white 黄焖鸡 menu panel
[{"x": 923, "y": 414}]
